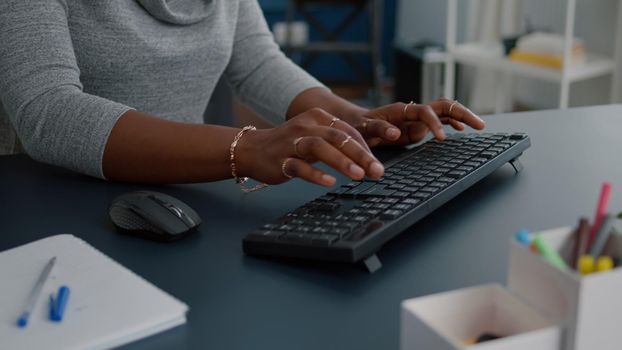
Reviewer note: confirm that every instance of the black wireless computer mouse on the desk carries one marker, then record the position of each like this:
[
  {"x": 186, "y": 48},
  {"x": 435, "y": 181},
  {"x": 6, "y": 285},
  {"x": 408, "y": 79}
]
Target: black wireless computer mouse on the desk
[{"x": 153, "y": 215}]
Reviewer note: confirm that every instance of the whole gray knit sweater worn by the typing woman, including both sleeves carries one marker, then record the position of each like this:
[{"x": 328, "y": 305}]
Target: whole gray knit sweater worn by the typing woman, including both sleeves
[{"x": 70, "y": 68}]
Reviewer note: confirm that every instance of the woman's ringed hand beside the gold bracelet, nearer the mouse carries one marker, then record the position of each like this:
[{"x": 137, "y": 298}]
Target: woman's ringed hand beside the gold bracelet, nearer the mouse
[{"x": 275, "y": 155}]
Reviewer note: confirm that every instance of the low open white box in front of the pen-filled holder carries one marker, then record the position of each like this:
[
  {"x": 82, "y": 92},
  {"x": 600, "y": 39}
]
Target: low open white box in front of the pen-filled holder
[{"x": 443, "y": 321}]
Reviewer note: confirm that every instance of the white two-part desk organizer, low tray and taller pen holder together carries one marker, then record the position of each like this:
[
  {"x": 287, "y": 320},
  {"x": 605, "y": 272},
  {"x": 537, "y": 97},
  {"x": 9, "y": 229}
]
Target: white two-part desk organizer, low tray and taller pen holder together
[{"x": 543, "y": 307}]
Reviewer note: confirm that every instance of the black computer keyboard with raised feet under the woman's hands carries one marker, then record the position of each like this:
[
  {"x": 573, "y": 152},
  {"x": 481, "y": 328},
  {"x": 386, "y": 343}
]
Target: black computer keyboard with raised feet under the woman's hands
[{"x": 352, "y": 222}]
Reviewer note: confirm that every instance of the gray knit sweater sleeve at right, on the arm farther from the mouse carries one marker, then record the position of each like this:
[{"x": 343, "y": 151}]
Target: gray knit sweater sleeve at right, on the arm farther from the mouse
[{"x": 258, "y": 71}]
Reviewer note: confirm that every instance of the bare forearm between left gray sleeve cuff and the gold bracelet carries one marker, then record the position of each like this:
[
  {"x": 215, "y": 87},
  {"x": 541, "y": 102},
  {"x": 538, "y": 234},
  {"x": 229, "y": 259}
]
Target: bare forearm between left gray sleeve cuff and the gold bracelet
[{"x": 146, "y": 149}]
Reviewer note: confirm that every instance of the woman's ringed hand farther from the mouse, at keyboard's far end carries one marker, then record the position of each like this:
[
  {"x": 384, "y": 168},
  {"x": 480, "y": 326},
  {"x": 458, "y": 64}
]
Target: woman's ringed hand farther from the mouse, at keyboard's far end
[{"x": 401, "y": 123}]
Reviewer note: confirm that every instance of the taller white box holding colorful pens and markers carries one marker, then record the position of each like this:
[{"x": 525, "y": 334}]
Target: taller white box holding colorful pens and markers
[{"x": 589, "y": 307}]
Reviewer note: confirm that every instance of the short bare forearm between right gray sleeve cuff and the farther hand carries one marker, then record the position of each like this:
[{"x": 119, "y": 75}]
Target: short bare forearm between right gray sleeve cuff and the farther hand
[{"x": 325, "y": 99}]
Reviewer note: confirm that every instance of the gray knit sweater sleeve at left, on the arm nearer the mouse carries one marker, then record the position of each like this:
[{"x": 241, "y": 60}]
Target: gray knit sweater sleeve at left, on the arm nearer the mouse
[{"x": 40, "y": 88}]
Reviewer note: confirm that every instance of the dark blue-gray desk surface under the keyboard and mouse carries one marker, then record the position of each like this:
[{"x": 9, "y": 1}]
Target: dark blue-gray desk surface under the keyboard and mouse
[{"x": 241, "y": 302}]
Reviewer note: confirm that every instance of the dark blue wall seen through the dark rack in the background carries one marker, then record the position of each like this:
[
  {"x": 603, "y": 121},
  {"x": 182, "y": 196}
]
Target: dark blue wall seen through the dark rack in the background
[{"x": 330, "y": 67}]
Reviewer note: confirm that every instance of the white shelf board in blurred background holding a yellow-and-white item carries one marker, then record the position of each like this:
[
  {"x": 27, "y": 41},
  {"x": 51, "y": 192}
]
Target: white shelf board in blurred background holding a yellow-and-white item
[{"x": 491, "y": 57}]
